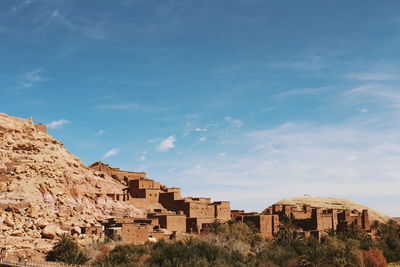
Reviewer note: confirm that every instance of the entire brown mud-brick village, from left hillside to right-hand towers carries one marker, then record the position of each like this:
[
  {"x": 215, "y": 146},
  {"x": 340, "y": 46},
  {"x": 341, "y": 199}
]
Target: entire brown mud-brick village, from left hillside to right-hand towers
[{"x": 173, "y": 215}]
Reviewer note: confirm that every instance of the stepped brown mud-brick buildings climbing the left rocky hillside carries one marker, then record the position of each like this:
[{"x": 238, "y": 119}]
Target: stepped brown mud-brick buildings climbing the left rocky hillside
[{"x": 171, "y": 214}]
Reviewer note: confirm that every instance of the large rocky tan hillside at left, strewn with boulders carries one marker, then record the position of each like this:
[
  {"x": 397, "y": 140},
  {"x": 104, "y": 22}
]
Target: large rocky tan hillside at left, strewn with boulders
[{"x": 45, "y": 190}]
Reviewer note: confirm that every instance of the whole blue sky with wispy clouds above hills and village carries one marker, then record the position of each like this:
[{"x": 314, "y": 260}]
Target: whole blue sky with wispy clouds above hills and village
[{"x": 244, "y": 100}]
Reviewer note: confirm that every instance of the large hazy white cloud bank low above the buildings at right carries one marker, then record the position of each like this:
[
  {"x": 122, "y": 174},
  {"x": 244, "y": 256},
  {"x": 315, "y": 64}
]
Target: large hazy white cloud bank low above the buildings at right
[{"x": 343, "y": 160}]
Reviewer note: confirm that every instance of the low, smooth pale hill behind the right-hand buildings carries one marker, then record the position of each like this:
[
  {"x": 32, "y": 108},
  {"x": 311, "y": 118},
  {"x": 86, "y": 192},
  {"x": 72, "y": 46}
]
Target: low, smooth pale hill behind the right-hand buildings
[{"x": 334, "y": 203}]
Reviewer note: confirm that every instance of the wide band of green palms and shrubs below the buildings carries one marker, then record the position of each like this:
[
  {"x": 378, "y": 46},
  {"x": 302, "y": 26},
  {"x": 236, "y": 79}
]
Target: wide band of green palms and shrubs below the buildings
[{"x": 239, "y": 244}]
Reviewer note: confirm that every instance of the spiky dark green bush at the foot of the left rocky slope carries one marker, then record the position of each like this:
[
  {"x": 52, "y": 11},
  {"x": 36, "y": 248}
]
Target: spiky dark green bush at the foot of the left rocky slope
[{"x": 67, "y": 250}]
